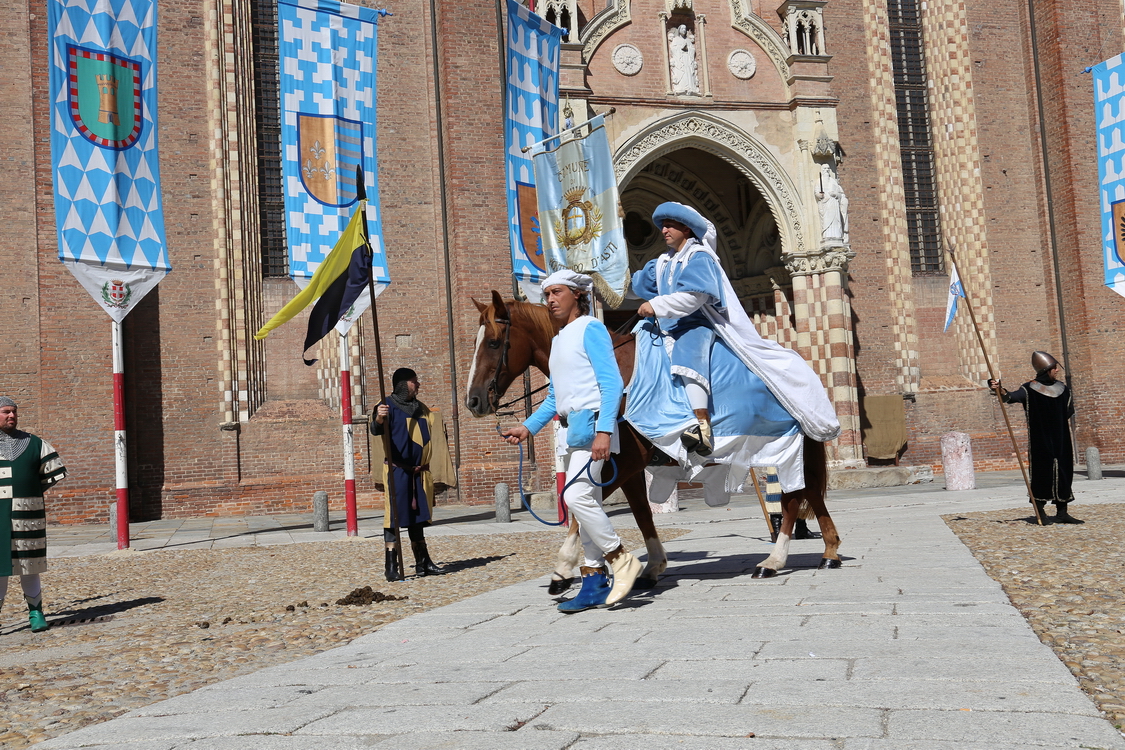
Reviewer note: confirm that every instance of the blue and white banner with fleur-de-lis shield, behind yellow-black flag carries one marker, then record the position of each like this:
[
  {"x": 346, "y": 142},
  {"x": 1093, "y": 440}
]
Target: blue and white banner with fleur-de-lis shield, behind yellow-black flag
[{"x": 328, "y": 53}]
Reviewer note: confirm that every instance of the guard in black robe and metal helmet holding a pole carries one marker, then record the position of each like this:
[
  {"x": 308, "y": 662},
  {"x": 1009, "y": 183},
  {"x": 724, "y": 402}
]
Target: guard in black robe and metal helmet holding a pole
[{"x": 1049, "y": 406}]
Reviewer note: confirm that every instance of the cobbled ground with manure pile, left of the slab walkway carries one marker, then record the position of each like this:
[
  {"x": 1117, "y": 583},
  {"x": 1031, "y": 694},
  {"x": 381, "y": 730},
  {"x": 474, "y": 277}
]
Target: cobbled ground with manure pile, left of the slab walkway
[{"x": 130, "y": 630}]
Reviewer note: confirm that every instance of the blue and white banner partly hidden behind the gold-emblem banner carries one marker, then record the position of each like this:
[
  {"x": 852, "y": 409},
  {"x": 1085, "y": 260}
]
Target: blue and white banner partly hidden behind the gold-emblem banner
[{"x": 533, "y": 115}]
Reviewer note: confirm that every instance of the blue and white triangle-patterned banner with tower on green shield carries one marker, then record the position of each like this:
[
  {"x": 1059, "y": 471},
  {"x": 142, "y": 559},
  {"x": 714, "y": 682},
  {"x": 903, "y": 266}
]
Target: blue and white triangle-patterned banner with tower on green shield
[{"x": 104, "y": 152}]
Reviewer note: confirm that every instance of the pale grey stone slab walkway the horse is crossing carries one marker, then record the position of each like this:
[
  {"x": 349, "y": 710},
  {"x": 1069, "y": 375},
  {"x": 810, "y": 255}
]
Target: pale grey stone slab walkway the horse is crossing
[{"x": 910, "y": 647}]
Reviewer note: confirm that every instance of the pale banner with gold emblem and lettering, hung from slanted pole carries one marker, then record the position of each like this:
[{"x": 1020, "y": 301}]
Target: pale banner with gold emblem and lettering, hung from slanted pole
[{"x": 580, "y": 210}]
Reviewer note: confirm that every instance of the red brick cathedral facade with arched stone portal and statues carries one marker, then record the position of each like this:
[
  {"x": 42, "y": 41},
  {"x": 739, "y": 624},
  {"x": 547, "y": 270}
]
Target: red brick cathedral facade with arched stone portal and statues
[{"x": 950, "y": 123}]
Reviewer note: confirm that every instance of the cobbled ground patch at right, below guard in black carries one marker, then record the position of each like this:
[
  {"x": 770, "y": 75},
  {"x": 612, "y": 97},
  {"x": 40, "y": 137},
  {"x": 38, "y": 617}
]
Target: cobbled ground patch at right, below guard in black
[{"x": 1068, "y": 581}]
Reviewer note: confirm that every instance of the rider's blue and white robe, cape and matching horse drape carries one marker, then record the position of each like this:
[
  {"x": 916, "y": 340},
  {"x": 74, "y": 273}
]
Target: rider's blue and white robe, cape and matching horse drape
[{"x": 763, "y": 397}]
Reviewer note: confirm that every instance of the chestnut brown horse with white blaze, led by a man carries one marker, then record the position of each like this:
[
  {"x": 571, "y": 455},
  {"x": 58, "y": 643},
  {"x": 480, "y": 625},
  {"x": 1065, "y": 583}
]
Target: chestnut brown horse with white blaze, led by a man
[{"x": 515, "y": 337}]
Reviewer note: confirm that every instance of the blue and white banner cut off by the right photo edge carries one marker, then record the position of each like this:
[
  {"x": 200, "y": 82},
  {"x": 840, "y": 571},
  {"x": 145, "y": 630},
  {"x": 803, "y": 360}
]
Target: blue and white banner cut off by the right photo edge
[{"x": 1110, "y": 119}]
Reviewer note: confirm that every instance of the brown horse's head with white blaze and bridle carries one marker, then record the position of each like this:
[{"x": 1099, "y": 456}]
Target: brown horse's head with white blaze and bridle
[{"x": 512, "y": 338}]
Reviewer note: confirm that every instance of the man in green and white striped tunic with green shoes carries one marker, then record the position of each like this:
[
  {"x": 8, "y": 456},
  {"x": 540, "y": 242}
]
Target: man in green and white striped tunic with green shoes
[{"x": 29, "y": 466}]
